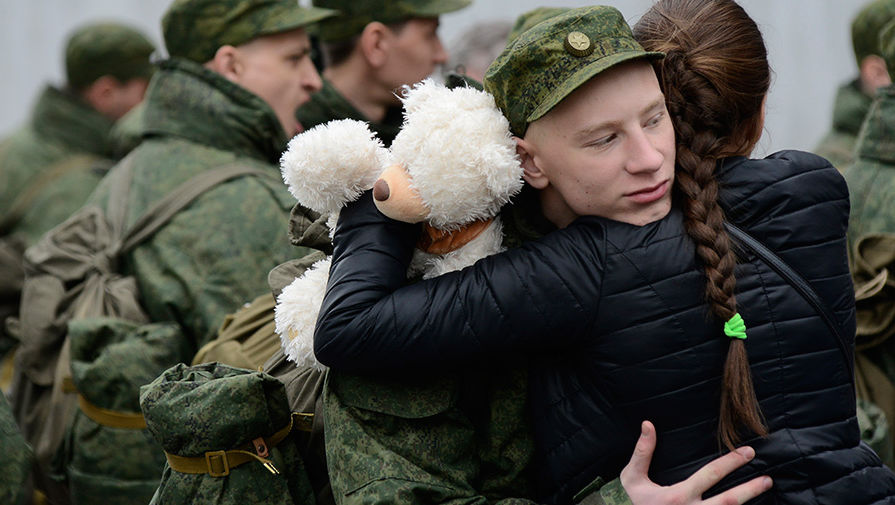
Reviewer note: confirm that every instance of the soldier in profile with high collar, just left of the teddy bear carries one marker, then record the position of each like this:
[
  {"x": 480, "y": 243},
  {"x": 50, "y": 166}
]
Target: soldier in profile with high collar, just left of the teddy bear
[{"x": 238, "y": 69}]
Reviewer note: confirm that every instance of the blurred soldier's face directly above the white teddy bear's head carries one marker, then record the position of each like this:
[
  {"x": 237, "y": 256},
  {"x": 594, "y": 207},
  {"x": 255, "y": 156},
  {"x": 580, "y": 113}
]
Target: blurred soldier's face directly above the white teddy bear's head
[{"x": 414, "y": 52}]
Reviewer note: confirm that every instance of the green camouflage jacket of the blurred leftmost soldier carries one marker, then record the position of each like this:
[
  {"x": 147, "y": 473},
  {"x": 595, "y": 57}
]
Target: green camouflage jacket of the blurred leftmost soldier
[{"x": 56, "y": 159}]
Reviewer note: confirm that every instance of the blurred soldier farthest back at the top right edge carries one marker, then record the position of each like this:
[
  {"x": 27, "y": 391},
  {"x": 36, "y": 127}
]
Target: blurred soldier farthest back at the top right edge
[{"x": 853, "y": 98}]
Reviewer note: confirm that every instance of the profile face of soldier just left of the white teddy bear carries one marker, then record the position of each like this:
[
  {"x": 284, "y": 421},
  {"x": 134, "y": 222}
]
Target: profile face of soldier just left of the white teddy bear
[{"x": 278, "y": 68}]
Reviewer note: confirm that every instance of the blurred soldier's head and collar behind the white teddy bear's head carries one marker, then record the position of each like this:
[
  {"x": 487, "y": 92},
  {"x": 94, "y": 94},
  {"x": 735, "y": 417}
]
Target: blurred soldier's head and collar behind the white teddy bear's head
[{"x": 371, "y": 49}]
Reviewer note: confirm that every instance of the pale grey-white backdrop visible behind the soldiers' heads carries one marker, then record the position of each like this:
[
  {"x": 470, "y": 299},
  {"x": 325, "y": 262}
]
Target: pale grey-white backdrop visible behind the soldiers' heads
[{"x": 808, "y": 41}]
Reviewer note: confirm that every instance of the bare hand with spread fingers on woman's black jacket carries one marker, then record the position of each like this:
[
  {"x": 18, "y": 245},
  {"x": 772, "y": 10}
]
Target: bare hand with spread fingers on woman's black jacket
[{"x": 642, "y": 491}]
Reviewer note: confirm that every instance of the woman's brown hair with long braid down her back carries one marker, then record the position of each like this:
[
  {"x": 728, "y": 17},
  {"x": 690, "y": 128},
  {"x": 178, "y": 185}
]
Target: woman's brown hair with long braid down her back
[{"x": 715, "y": 76}]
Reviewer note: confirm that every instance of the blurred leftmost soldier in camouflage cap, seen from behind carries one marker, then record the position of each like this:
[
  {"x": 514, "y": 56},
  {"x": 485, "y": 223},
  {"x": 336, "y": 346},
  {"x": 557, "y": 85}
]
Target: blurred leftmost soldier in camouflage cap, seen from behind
[{"x": 50, "y": 165}]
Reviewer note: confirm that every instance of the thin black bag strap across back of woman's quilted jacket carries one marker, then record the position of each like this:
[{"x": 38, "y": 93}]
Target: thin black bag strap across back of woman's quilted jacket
[{"x": 800, "y": 284}]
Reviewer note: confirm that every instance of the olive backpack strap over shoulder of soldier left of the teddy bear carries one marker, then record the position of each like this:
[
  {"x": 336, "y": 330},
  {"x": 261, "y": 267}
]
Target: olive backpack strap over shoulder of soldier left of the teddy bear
[{"x": 159, "y": 214}]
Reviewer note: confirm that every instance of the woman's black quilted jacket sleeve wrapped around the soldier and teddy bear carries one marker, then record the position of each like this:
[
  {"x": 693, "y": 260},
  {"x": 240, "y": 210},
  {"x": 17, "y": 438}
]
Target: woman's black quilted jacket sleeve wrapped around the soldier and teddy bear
[{"x": 537, "y": 298}]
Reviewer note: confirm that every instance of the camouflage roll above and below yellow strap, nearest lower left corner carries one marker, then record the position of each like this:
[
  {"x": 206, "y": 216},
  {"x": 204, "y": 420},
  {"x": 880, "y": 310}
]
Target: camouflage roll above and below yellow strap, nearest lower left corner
[{"x": 110, "y": 360}]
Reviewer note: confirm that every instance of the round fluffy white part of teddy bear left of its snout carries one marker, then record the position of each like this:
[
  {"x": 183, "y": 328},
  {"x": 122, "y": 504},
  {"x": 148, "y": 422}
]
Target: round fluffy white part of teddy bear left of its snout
[{"x": 332, "y": 164}]
